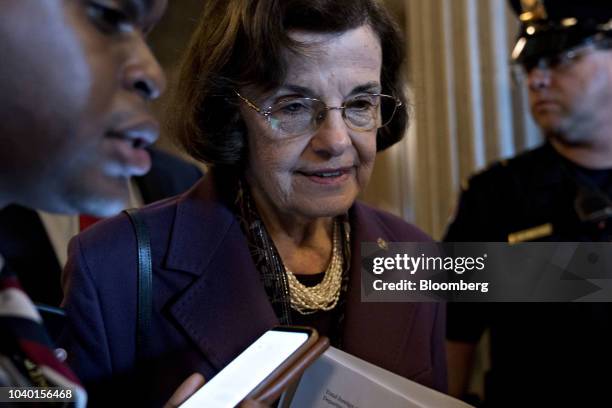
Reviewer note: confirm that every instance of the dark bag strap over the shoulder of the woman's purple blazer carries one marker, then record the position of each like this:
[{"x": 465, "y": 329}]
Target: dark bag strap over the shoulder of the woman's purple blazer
[{"x": 145, "y": 282}]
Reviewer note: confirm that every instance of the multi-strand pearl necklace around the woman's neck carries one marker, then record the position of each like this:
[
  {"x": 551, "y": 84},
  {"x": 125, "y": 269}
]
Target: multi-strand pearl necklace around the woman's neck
[{"x": 324, "y": 296}]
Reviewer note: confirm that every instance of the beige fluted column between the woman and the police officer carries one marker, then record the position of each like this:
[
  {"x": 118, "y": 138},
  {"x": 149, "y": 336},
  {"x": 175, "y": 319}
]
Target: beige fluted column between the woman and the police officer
[{"x": 468, "y": 111}]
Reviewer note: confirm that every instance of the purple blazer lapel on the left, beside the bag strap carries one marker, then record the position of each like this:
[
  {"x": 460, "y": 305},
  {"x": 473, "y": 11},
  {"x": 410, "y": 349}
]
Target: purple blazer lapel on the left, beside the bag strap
[{"x": 225, "y": 308}]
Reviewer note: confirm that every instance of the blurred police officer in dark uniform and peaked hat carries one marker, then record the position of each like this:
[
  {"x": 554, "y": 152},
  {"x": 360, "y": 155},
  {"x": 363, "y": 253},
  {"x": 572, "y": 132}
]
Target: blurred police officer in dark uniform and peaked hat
[{"x": 546, "y": 354}]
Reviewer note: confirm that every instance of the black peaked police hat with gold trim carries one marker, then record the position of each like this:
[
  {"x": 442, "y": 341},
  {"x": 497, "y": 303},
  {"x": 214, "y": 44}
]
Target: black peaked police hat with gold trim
[{"x": 549, "y": 27}]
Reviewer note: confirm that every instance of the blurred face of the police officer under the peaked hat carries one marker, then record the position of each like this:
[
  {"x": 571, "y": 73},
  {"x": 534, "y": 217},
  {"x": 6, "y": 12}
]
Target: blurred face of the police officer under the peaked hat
[{"x": 573, "y": 101}]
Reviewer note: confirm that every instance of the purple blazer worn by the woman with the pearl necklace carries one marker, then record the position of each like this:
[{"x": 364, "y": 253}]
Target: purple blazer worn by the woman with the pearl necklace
[{"x": 209, "y": 303}]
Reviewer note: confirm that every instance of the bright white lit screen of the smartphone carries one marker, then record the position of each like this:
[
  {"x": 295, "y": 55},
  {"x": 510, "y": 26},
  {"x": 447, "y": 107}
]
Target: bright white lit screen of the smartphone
[{"x": 246, "y": 371}]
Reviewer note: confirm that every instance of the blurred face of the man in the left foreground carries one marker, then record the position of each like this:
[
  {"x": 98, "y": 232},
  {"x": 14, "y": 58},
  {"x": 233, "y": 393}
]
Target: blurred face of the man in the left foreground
[{"x": 75, "y": 79}]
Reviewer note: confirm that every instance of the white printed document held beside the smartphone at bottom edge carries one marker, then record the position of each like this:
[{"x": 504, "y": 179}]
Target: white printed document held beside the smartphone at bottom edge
[{"x": 340, "y": 380}]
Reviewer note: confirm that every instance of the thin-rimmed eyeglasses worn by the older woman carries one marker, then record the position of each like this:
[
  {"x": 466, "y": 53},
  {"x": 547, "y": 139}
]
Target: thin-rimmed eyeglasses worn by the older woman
[{"x": 296, "y": 116}]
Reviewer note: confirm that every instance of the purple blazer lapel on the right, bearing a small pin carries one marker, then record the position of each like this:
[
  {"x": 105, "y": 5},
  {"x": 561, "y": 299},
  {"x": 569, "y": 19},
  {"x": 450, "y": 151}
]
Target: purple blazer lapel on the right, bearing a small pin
[{"x": 388, "y": 324}]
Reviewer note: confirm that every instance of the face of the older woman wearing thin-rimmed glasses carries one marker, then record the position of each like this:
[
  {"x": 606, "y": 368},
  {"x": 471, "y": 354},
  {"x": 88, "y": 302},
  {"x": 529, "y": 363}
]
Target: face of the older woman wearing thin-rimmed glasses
[{"x": 319, "y": 173}]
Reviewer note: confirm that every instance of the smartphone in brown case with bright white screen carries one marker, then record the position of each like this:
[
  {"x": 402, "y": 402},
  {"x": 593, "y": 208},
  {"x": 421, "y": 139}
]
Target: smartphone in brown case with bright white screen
[{"x": 271, "y": 362}]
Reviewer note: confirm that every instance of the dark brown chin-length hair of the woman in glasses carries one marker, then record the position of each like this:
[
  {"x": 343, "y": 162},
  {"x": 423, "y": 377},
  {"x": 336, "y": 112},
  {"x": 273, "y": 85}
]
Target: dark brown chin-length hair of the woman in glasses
[{"x": 241, "y": 42}]
